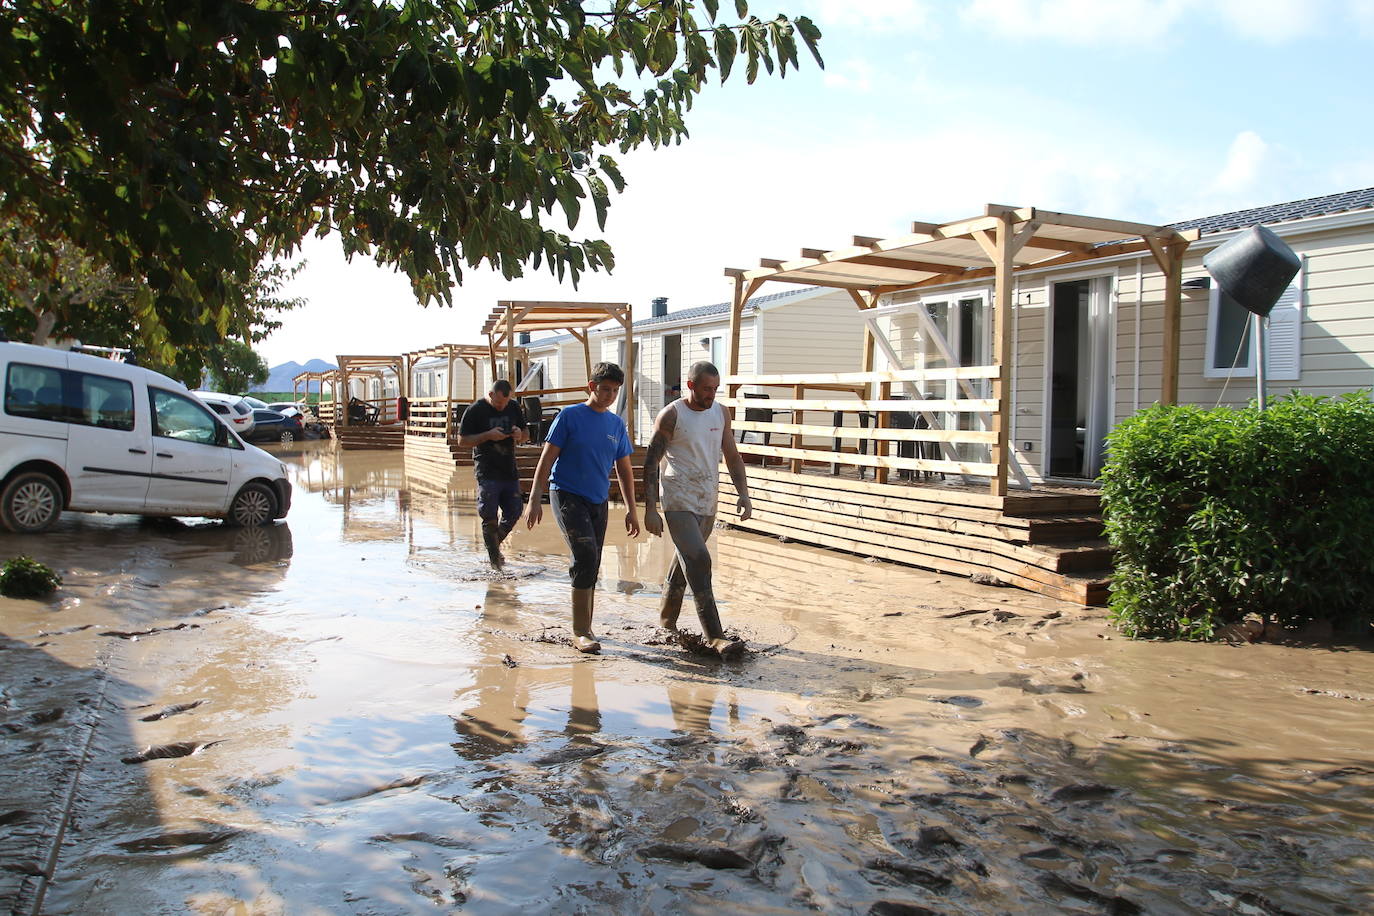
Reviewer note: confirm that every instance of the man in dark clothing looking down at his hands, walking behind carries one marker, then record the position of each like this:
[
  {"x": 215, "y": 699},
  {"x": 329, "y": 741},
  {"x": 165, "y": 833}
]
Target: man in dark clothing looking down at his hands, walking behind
[{"x": 493, "y": 428}]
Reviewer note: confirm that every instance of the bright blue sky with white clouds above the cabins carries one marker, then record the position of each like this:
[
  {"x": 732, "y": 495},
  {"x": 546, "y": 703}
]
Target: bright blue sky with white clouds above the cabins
[{"x": 1144, "y": 111}]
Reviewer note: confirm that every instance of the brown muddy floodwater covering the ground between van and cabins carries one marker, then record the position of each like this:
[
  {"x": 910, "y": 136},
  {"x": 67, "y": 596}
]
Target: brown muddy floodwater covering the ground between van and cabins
[{"x": 348, "y": 713}]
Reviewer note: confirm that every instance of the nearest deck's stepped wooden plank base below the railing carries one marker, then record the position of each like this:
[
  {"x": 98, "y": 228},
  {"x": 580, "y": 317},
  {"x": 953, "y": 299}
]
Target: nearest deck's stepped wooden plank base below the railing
[{"x": 1046, "y": 540}]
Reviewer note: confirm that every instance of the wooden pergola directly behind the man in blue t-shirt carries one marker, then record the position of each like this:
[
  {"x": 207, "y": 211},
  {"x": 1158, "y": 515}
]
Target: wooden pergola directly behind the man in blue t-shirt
[{"x": 510, "y": 319}]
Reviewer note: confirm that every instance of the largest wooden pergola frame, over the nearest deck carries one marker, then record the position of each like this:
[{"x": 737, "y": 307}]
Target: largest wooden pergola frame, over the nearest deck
[{"x": 1000, "y": 244}]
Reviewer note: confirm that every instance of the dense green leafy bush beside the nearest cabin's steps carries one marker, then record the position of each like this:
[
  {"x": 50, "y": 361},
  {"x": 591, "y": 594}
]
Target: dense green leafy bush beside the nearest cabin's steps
[{"x": 1226, "y": 513}]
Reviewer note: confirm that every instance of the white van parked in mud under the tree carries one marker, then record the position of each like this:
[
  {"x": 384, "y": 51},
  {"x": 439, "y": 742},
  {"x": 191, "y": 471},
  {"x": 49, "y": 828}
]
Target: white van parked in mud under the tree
[{"x": 87, "y": 435}]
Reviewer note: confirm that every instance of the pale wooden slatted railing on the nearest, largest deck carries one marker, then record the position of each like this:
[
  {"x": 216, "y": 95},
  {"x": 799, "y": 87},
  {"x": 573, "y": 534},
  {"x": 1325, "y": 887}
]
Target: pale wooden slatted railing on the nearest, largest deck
[{"x": 872, "y": 395}]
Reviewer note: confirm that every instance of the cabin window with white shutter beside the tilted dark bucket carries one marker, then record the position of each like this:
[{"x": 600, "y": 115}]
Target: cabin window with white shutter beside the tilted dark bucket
[{"x": 1230, "y": 345}]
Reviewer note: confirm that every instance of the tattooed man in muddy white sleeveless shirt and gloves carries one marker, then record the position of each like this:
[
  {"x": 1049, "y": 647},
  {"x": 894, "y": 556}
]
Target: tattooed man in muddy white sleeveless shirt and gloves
[{"x": 693, "y": 433}]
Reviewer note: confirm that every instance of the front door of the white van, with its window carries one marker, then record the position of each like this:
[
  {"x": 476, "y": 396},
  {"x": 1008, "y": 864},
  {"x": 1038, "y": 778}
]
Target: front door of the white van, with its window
[{"x": 190, "y": 462}]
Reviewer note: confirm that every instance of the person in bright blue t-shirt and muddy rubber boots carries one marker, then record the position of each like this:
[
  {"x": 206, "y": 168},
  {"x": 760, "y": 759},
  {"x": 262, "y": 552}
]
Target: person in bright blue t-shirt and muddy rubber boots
[{"x": 583, "y": 446}]
